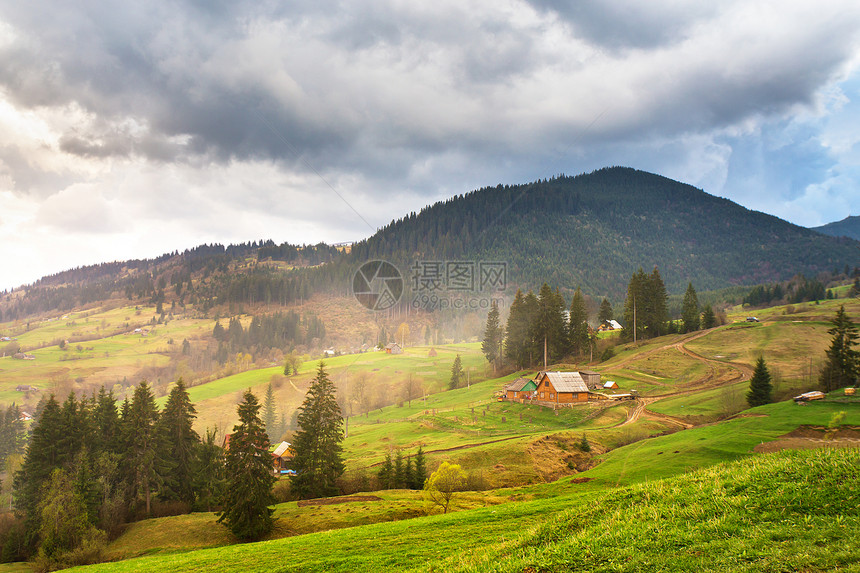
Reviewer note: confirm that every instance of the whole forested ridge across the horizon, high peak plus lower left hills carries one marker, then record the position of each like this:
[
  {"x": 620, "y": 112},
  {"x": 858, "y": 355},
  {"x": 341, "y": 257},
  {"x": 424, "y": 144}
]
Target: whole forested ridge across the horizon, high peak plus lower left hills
[{"x": 591, "y": 231}]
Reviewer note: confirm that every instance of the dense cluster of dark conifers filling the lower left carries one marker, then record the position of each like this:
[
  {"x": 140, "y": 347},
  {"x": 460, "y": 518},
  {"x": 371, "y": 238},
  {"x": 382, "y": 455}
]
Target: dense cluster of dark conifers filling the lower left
[{"x": 111, "y": 464}]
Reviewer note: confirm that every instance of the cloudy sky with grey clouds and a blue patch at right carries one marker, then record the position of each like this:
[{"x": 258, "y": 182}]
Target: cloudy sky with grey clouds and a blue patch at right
[{"x": 131, "y": 129}]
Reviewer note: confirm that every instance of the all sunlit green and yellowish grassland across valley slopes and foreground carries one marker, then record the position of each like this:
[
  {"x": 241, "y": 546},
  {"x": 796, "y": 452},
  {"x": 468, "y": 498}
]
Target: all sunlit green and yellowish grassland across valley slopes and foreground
[{"x": 687, "y": 450}]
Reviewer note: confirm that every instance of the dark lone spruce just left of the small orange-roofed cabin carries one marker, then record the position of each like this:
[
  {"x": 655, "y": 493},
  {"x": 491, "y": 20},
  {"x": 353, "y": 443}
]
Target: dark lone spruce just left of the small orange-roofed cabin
[{"x": 245, "y": 507}]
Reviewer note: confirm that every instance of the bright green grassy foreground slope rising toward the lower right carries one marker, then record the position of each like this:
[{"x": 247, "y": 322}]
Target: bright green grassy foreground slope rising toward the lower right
[{"x": 786, "y": 511}]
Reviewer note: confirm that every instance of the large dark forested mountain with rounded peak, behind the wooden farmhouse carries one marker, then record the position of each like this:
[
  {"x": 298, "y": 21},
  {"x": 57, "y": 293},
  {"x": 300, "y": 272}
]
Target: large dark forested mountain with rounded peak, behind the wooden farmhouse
[{"x": 594, "y": 230}]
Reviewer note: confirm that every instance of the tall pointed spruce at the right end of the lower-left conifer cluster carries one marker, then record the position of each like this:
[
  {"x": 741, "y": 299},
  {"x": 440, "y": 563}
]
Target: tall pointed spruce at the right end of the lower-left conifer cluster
[{"x": 179, "y": 444}]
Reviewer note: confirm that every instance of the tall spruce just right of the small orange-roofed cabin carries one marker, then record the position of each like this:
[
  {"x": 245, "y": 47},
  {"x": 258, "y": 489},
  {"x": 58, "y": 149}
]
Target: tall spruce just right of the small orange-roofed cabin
[{"x": 318, "y": 457}]
